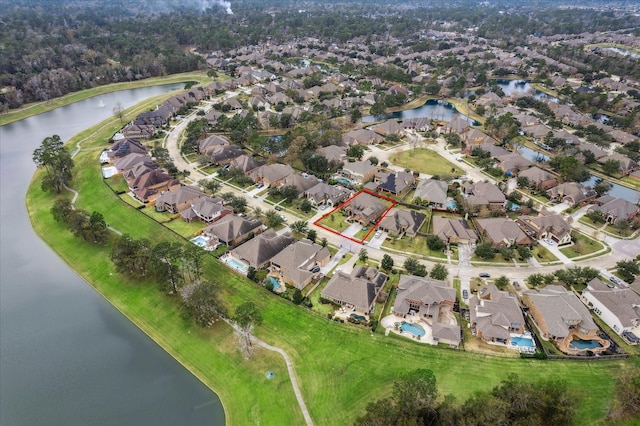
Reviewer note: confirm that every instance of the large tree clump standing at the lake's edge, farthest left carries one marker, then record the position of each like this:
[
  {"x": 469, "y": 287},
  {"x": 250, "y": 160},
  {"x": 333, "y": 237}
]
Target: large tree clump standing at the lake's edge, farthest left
[{"x": 54, "y": 157}]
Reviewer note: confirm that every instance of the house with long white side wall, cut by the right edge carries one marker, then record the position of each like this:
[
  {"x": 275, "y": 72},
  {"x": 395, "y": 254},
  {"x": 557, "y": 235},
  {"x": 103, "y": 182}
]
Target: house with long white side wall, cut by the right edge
[{"x": 618, "y": 307}]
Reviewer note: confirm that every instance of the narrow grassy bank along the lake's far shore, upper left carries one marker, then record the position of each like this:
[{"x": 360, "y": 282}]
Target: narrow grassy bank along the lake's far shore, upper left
[{"x": 40, "y": 107}]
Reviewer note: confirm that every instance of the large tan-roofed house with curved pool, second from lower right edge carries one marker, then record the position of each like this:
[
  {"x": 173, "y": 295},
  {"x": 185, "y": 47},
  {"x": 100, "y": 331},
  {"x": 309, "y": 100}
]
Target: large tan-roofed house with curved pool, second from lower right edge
[{"x": 559, "y": 314}]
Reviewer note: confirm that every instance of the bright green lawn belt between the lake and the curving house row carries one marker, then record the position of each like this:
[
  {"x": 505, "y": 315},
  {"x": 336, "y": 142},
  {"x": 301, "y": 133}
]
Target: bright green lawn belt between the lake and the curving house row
[{"x": 339, "y": 368}]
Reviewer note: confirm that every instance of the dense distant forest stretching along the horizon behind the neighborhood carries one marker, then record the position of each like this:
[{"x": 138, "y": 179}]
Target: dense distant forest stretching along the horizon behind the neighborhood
[{"x": 50, "y": 48}]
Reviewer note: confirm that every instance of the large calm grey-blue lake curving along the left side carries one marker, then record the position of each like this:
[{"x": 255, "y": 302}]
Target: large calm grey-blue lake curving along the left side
[{"x": 67, "y": 357}]
